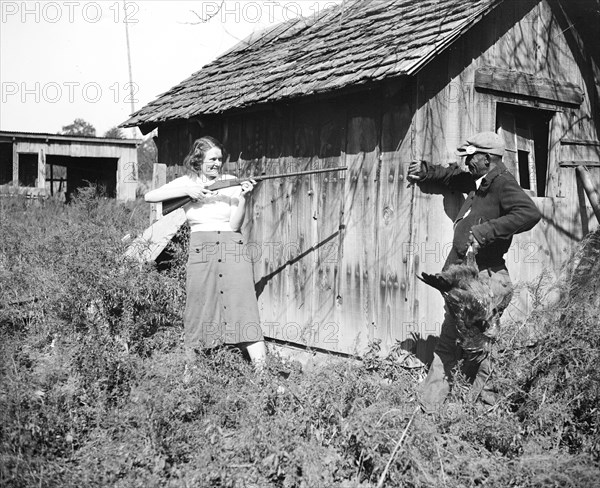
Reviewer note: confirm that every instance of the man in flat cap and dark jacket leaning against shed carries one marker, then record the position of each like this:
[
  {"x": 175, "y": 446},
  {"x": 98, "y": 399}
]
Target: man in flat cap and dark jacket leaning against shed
[{"x": 496, "y": 209}]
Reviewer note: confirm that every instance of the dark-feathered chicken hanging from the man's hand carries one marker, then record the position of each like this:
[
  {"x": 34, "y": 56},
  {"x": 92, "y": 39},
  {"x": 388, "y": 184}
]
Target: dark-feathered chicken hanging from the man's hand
[{"x": 469, "y": 297}]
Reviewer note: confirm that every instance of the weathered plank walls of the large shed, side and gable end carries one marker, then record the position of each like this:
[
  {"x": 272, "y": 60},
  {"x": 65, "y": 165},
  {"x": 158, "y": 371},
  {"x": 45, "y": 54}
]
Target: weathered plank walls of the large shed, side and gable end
[{"x": 336, "y": 256}]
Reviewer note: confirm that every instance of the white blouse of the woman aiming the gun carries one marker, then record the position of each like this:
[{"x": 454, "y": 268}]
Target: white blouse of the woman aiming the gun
[{"x": 214, "y": 212}]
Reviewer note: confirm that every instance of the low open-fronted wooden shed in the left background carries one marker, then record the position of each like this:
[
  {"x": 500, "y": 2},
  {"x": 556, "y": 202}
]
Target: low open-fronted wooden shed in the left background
[{"x": 51, "y": 164}]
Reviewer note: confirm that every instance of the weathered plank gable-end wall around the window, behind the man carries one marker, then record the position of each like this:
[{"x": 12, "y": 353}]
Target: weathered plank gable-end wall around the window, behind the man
[{"x": 527, "y": 37}]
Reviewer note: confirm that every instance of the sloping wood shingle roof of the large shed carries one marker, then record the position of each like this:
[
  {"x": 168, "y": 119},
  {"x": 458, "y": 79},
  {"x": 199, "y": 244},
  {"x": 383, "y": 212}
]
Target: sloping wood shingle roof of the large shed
[{"x": 353, "y": 43}]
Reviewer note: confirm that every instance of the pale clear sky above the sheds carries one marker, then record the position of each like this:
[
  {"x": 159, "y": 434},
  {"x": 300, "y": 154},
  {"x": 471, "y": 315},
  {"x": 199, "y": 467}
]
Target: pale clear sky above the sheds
[{"x": 62, "y": 60}]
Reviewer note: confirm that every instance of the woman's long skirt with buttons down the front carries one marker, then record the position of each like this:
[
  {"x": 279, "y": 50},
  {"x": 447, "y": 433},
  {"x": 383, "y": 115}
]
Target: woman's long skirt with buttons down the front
[{"x": 221, "y": 306}]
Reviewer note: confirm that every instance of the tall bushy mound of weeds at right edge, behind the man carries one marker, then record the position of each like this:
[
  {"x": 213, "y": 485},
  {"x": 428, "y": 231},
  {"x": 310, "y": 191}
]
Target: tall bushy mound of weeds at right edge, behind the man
[{"x": 558, "y": 389}]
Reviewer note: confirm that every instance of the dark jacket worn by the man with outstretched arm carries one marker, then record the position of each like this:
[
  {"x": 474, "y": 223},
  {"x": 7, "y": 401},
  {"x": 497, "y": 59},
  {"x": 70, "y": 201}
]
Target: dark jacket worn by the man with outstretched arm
[{"x": 499, "y": 209}]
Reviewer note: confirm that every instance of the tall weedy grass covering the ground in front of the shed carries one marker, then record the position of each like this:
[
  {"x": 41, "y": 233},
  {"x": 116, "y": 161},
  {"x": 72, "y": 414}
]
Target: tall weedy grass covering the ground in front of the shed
[{"x": 96, "y": 390}]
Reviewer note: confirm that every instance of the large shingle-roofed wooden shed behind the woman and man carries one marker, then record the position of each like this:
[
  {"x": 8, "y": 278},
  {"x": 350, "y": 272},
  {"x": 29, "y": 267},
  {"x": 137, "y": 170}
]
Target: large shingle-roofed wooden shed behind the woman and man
[{"x": 373, "y": 85}]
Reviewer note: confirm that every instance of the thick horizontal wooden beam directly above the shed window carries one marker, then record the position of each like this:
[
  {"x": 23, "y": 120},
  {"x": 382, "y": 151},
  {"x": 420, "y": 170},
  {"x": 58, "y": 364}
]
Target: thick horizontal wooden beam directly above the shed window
[{"x": 527, "y": 85}]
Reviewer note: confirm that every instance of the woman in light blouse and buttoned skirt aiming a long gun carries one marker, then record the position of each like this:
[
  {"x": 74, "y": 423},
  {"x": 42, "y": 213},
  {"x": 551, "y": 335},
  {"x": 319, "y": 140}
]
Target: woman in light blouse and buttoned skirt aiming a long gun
[{"x": 221, "y": 306}]
